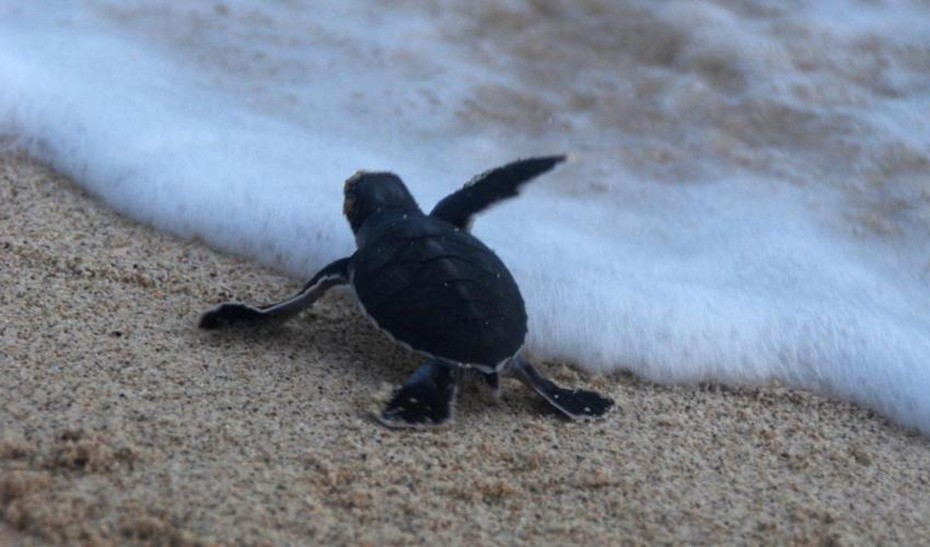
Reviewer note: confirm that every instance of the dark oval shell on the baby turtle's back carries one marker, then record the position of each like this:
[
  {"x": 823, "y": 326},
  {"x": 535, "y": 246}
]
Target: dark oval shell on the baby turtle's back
[{"x": 439, "y": 290}]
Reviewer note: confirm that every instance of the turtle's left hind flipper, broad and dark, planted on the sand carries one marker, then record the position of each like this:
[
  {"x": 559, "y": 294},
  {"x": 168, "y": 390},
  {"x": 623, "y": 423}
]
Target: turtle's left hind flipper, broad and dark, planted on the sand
[{"x": 427, "y": 399}]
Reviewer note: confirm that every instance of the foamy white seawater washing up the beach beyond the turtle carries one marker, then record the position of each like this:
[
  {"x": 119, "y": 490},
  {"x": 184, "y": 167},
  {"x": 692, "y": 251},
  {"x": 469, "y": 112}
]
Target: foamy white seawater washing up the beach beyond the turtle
[{"x": 747, "y": 202}]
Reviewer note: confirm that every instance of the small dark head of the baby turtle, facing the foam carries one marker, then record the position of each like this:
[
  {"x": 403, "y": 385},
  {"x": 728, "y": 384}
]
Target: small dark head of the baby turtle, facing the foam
[{"x": 368, "y": 193}]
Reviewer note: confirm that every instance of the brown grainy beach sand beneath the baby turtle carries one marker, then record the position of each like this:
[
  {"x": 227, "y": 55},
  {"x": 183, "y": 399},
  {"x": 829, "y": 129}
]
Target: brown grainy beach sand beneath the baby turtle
[{"x": 121, "y": 422}]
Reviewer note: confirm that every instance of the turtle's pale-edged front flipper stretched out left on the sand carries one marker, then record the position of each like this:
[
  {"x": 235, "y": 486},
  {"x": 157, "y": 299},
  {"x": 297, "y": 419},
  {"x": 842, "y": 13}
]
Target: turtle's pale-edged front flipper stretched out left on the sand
[{"x": 232, "y": 313}]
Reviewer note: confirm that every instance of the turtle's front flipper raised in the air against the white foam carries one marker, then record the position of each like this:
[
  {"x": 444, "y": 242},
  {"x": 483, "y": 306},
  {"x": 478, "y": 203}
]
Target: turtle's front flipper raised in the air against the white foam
[{"x": 490, "y": 187}]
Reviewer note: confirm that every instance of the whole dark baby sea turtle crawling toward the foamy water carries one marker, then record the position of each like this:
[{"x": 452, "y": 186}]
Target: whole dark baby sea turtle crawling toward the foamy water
[{"x": 432, "y": 286}]
